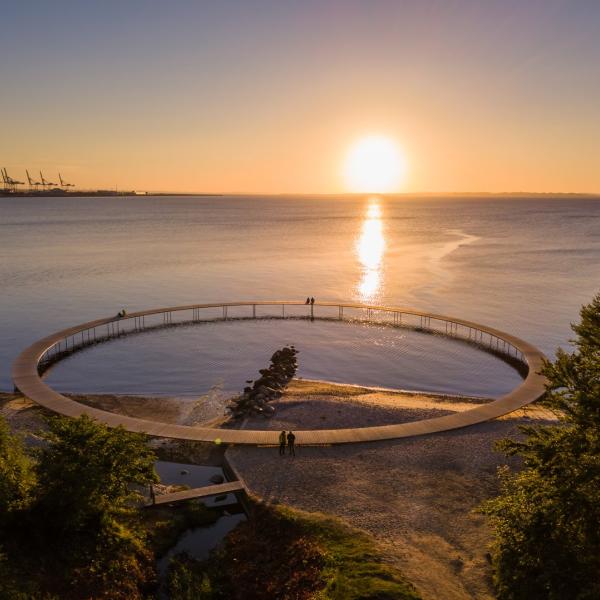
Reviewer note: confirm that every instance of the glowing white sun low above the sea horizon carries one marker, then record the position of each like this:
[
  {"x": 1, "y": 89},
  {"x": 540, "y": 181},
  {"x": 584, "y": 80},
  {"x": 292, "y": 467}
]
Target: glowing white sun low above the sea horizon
[{"x": 374, "y": 164}]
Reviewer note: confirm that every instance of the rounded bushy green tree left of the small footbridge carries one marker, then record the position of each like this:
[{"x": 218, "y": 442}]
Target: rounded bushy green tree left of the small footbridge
[{"x": 85, "y": 517}]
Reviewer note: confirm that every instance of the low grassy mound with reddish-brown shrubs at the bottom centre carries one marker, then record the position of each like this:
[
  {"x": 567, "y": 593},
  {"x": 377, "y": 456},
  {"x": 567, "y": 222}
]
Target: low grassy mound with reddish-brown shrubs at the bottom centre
[{"x": 286, "y": 553}]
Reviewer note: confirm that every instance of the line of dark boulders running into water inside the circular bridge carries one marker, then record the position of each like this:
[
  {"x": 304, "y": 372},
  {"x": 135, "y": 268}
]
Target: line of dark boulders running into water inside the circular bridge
[{"x": 254, "y": 400}]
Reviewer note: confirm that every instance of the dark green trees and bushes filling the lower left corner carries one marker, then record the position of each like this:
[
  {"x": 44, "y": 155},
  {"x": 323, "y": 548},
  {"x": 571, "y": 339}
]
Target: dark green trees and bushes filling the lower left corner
[{"x": 70, "y": 526}]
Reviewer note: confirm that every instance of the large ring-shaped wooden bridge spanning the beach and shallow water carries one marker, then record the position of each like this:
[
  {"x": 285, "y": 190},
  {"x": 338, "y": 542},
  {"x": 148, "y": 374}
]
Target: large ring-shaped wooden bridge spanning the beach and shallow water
[{"x": 31, "y": 363}]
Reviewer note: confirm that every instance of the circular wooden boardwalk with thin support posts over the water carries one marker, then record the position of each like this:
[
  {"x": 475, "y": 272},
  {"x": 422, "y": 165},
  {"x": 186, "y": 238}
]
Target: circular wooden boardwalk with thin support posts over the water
[{"x": 27, "y": 380}]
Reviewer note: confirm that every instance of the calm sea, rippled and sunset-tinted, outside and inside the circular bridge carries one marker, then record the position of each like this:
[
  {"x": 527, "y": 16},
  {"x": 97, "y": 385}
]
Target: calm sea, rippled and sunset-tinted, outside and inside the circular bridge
[{"x": 522, "y": 265}]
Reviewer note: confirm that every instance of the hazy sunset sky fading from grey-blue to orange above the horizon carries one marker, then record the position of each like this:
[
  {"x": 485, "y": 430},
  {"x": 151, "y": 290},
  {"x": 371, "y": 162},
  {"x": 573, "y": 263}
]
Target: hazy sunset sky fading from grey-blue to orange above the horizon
[{"x": 268, "y": 96}]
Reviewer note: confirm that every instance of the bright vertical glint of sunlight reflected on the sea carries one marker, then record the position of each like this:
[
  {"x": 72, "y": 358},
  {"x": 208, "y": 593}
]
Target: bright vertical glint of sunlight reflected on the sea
[{"x": 370, "y": 248}]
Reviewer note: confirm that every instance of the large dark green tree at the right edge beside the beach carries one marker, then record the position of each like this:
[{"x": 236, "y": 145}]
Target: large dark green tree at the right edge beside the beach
[{"x": 547, "y": 516}]
